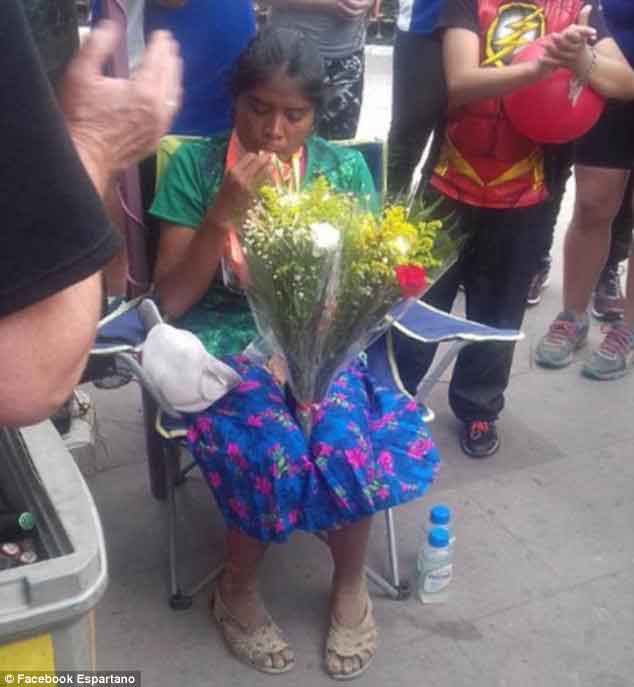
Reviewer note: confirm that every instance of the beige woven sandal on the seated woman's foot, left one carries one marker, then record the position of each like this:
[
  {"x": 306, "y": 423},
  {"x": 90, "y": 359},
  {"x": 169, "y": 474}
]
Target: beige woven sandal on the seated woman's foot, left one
[{"x": 256, "y": 648}]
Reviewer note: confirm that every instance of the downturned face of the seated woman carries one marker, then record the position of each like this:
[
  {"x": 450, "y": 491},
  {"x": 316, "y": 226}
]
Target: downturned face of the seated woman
[{"x": 274, "y": 117}]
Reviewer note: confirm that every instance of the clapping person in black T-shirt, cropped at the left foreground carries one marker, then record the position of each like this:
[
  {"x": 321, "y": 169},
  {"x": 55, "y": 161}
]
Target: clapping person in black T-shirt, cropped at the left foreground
[{"x": 55, "y": 236}]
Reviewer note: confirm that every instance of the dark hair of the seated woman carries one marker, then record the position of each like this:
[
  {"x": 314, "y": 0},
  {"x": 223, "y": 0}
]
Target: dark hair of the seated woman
[{"x": 273, "y": 50}]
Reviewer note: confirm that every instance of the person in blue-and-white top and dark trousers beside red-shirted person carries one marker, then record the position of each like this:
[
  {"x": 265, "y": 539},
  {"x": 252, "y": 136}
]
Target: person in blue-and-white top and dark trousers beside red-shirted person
[{"x": 419, "y": 93}]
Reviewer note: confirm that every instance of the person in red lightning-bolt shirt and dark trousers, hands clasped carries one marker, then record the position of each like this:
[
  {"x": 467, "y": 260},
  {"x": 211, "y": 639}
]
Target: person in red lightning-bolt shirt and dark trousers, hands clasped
[{"x": 493, "y": 177}]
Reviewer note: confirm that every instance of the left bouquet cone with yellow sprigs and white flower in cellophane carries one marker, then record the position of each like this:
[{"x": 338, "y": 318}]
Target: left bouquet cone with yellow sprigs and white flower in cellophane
[{"x": 291, "y": 265}]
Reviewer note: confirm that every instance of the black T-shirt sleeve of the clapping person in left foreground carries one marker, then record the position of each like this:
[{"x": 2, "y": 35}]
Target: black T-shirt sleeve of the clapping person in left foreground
[{"x": 53, "y": 231}]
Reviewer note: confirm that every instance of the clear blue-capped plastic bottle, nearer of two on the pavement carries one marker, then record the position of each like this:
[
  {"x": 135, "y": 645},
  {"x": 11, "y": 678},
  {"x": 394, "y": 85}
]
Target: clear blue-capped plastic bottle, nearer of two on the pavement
[{"x": 436, "y": 567}]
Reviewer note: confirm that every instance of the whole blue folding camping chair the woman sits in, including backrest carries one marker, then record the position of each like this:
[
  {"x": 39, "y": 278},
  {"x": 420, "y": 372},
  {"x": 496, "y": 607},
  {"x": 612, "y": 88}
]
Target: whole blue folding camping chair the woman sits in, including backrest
[{"x": 120, "y": 339}]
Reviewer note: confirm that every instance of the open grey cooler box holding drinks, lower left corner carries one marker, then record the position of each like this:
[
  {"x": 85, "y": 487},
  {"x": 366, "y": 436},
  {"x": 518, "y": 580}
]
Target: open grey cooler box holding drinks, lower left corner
[{"x": 47, "y": 607}]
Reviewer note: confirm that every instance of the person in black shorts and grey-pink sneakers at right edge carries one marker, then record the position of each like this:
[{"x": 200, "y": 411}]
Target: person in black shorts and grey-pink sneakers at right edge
[{"x": 603, "y": 161}]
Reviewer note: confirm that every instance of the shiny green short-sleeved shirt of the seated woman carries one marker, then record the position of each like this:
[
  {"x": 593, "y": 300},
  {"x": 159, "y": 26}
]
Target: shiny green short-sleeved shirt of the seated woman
[{"x": 222, "y": 319}]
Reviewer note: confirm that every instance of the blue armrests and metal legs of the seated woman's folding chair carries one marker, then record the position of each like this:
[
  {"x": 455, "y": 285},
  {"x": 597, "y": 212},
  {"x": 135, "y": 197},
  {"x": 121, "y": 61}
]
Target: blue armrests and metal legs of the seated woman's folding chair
[{"x": 121, "y": 337}]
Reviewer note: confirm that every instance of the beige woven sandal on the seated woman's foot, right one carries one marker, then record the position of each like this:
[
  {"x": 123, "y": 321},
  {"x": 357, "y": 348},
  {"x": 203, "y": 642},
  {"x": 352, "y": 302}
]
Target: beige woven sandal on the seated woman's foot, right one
[{"x": 351, "y": 650}]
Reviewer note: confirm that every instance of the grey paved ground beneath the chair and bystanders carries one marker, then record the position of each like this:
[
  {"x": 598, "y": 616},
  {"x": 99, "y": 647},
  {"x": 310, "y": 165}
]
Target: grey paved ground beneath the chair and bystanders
[{"x": 542, "y": 594}]
